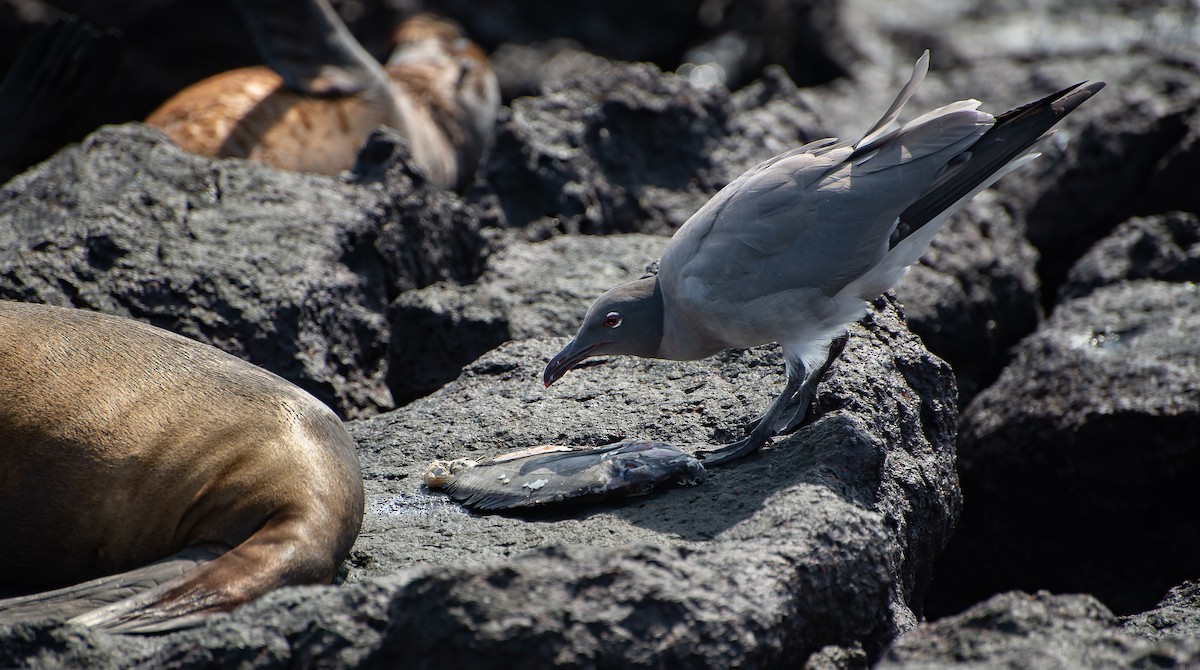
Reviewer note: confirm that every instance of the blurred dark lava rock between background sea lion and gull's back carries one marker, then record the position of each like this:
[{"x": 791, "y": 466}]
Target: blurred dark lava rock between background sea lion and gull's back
[{"x": 628, "y": 148}]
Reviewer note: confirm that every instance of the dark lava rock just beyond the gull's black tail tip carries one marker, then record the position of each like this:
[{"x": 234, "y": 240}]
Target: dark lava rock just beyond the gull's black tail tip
[{"x": 1129, "y": 154}]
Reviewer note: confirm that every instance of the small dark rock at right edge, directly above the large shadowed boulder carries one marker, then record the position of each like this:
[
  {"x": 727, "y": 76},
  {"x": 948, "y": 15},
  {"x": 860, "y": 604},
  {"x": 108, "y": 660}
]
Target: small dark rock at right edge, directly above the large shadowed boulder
[{"x": 1165, "y": 248}]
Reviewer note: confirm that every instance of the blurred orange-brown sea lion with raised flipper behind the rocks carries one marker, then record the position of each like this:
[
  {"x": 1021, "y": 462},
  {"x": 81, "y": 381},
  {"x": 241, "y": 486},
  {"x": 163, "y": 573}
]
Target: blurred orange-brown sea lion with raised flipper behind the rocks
[{"x": 323, "y": 95}]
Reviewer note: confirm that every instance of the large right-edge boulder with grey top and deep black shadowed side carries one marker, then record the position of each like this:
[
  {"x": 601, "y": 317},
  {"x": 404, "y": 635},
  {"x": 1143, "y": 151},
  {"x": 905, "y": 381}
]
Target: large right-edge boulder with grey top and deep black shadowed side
[{"x": 1079, "y": 465}]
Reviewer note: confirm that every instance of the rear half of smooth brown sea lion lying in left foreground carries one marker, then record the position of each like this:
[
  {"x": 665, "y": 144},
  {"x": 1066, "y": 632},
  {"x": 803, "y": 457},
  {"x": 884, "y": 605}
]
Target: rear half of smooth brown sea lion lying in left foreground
[{"x": 123, "y": 445}]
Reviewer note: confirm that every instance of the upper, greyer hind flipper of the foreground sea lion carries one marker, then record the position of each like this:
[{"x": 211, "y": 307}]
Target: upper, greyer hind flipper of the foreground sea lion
[{"x": 91, "y": 596}]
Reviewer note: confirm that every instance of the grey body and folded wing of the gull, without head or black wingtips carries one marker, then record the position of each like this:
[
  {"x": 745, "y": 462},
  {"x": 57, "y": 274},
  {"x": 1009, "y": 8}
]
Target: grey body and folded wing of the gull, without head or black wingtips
[{"x": 807, "y": 223}]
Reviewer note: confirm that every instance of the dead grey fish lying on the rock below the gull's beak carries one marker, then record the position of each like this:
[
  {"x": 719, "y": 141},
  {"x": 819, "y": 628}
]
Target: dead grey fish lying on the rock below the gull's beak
[{"x": 550, "y": 475}]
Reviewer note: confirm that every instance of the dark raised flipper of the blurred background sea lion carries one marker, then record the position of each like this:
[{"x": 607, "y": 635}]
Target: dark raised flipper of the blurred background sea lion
[{"x": 310, "y": 47}]
